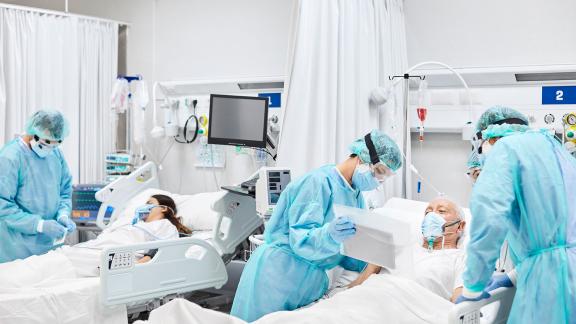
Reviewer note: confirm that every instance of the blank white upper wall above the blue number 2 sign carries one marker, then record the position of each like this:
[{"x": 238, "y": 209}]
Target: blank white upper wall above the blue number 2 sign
[{"x": 491, "y": 32}]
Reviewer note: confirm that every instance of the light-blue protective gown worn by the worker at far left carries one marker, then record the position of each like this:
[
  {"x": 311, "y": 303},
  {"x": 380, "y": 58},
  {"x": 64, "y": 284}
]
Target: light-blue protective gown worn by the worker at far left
[{"x": 31, "y": 188}]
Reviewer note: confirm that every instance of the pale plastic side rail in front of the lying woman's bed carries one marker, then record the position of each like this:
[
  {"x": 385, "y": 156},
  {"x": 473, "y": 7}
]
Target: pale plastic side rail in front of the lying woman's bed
[{"x": 180, "y": 265}]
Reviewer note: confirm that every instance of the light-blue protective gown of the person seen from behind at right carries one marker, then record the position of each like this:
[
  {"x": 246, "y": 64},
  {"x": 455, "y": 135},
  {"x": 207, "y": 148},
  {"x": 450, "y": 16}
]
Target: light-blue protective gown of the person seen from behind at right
[{"x": 526, "y": 194}]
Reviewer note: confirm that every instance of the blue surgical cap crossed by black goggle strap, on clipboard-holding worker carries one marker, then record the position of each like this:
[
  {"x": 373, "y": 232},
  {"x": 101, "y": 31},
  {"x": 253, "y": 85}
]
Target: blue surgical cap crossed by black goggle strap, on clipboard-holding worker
[{"x": 387, "y": 150}]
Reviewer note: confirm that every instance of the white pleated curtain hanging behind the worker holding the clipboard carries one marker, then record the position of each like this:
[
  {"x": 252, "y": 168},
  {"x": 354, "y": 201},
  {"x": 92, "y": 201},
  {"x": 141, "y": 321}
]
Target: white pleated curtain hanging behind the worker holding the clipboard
[{"x": 341, "y": 50}]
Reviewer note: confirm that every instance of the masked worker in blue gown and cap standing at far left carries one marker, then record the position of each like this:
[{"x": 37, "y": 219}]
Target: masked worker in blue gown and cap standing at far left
[{"x": 35, "y": 189}]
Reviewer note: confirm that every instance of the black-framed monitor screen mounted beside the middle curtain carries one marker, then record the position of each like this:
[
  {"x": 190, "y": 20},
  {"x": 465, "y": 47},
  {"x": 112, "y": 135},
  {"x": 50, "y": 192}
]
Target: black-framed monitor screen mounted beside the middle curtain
[{"x": 238, "y": 120}]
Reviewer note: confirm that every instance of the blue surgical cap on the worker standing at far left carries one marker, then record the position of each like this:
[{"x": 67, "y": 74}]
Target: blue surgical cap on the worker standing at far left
[{"x": 48, "y": 124}]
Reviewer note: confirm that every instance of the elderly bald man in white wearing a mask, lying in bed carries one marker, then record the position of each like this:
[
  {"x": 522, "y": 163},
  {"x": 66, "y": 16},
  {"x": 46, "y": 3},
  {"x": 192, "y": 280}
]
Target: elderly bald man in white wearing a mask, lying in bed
[{"x": 438, "y": 263}]
